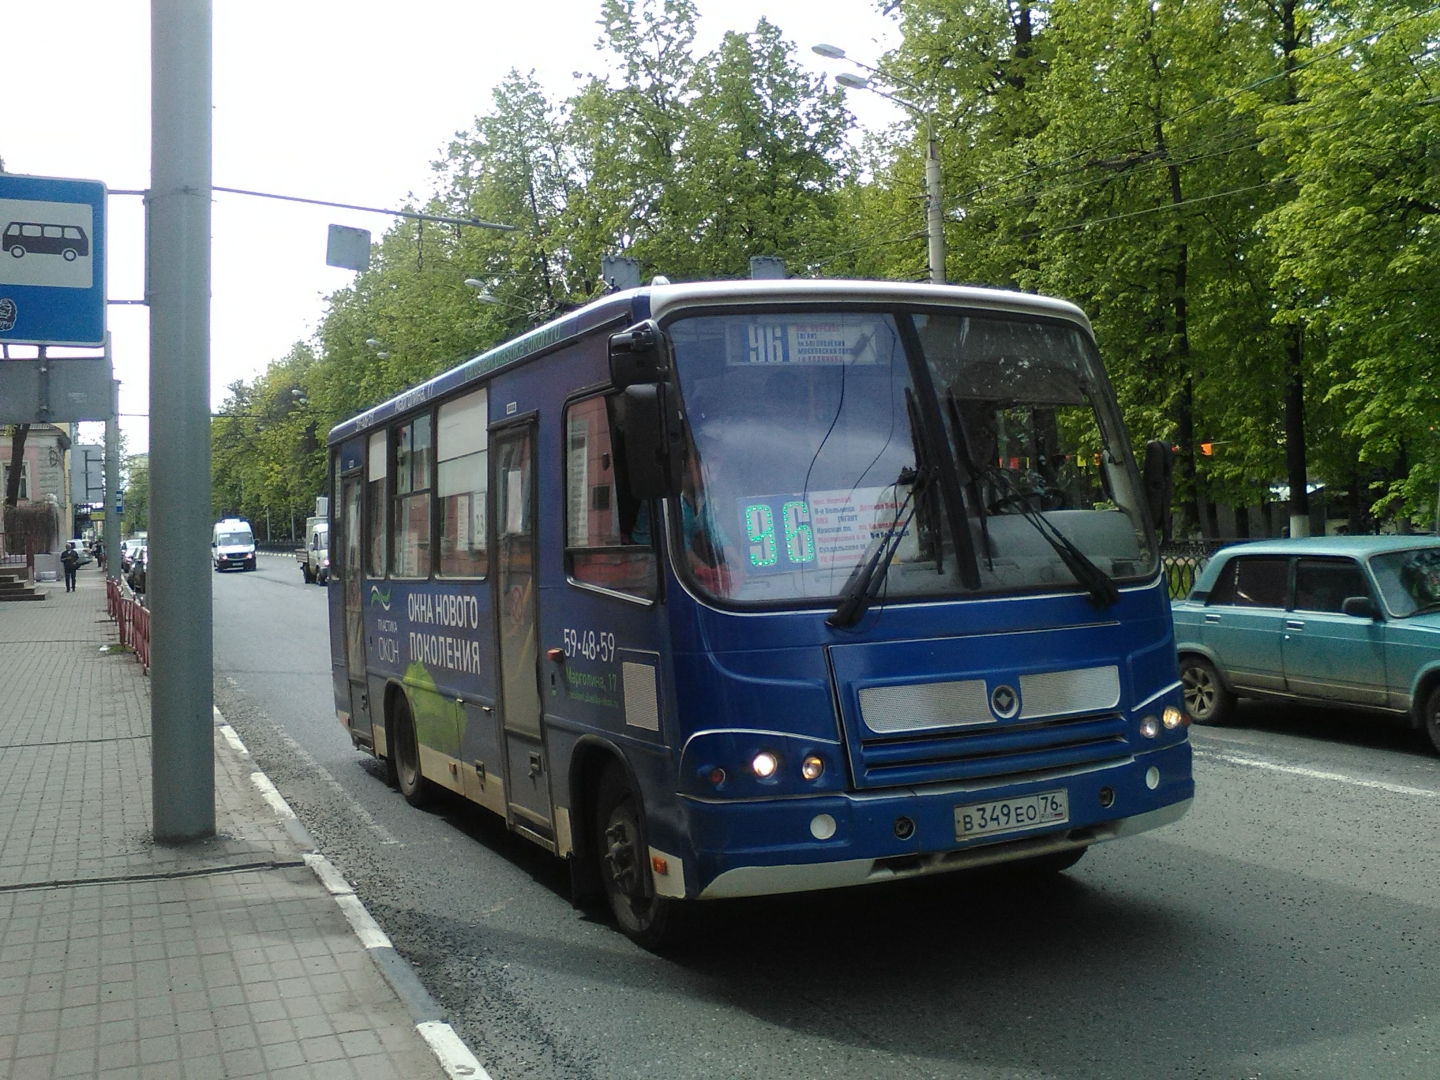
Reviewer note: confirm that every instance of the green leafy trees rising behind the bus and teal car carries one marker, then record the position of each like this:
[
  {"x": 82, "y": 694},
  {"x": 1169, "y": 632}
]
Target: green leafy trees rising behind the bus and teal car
[{"x": 1241, "y": 194}]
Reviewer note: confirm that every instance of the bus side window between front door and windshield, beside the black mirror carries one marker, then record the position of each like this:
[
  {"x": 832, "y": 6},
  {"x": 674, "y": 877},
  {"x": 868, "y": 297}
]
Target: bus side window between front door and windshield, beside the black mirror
[{"x": 597, "y": 548}]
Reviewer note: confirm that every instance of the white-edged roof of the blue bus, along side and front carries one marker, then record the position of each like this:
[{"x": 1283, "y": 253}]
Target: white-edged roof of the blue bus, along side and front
[{"x": 656, "y": 302}]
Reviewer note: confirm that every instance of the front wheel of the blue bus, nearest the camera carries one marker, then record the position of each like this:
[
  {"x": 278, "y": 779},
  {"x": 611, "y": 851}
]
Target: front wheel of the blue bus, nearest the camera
[{"x": 653, "y": 922}]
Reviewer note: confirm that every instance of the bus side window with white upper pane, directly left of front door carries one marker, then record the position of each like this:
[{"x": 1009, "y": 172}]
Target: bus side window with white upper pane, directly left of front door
[{"x": 462, "y": 486}]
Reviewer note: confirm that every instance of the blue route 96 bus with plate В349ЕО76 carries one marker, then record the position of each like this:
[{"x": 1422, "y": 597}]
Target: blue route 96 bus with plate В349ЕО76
[{"x": 760, "y": 587}]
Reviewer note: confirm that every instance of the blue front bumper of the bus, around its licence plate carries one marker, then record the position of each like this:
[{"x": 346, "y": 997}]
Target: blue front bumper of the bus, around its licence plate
[{"x": 866, "y": 847}]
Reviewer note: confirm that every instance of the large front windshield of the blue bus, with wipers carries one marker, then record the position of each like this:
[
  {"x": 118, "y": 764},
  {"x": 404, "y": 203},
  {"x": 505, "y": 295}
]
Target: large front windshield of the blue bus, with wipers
[{"x": 823, "y": 443}]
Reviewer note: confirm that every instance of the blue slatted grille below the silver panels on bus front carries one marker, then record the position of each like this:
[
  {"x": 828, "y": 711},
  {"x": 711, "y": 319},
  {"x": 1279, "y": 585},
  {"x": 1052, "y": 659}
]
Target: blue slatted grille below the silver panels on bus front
[{"x": 993, "y": 754}]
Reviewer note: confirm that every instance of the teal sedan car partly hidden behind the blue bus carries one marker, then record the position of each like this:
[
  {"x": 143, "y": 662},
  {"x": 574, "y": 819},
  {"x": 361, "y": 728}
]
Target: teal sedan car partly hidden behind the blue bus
[{"x": 1336, "y": 621}]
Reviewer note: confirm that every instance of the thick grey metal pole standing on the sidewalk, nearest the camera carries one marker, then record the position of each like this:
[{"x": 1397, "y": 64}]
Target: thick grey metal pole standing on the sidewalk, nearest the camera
[{"x": 179, "y": 292}]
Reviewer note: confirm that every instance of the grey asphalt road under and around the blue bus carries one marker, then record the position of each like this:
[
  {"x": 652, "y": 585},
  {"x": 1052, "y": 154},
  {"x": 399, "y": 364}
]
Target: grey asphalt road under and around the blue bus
[{"x": 1290, "y": 927}]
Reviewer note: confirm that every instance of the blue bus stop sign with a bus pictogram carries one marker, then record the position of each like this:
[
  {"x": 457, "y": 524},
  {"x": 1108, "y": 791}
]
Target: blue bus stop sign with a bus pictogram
[{"x": 53, "y": 261}]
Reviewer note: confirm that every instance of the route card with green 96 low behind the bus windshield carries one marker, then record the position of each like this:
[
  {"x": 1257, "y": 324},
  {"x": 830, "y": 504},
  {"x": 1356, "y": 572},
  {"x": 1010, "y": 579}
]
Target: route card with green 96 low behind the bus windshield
[{"x": 826, "y": 531}]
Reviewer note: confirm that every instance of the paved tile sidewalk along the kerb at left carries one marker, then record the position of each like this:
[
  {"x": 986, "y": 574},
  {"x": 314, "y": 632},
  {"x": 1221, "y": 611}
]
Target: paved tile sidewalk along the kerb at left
[{"x": 122, "y": 958}]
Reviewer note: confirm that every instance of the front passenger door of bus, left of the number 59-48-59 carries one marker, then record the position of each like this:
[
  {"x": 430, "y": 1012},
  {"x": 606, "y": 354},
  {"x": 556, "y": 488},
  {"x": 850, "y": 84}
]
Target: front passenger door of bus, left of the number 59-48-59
[{"x": 528, "y": 781}]
